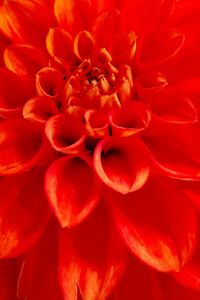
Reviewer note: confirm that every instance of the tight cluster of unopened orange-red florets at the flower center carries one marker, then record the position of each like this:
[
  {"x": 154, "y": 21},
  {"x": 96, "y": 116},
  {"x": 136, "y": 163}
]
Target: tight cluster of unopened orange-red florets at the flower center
[{"x": 97, "y": 83}]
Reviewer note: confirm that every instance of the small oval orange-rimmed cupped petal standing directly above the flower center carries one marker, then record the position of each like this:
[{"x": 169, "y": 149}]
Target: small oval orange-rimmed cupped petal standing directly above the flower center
[{"x": 83, "y": 45}]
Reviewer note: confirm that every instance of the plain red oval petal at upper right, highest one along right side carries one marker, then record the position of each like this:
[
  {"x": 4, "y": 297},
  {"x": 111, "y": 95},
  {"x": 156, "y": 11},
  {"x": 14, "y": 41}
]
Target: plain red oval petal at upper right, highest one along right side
[{"x": 160, "y": 46}]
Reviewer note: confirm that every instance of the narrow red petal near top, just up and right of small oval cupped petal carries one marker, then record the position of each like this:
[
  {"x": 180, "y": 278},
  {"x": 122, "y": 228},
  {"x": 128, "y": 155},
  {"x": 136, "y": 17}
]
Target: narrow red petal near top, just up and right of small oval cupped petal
[{"x": 106, "y": 26}]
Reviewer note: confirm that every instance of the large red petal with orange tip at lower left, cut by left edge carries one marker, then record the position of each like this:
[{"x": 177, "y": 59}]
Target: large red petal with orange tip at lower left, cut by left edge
[{"x": 23, "y": 212}]
